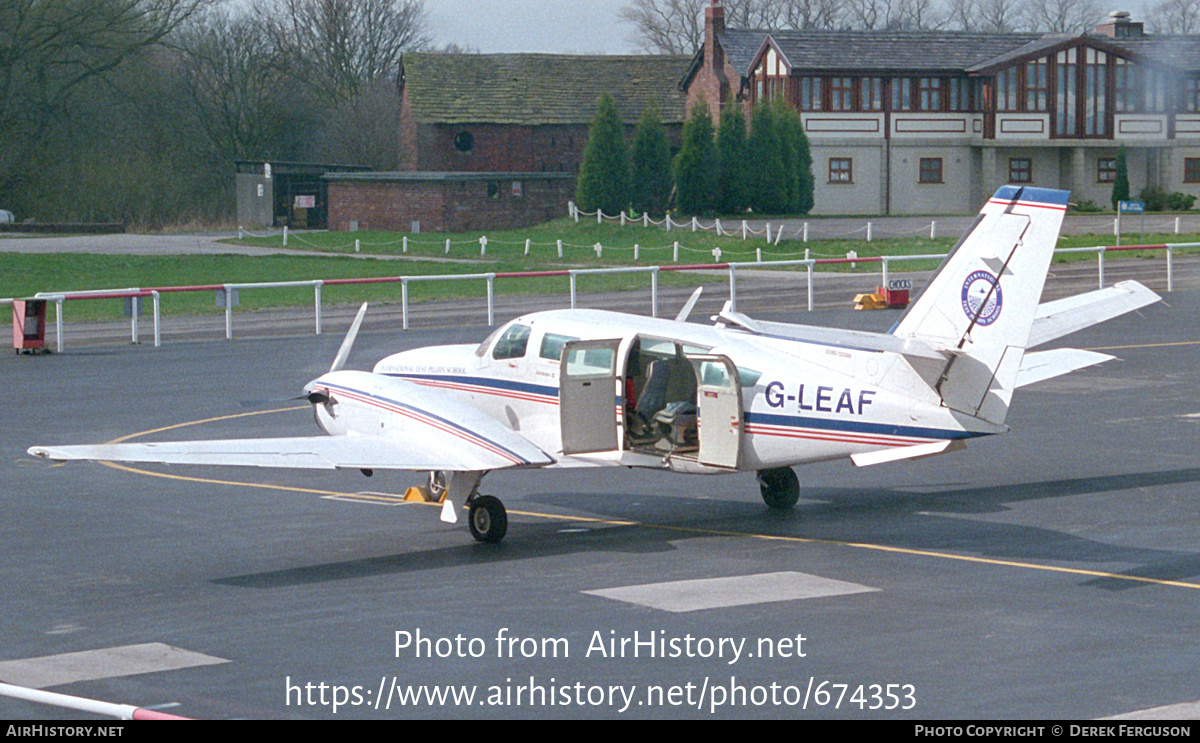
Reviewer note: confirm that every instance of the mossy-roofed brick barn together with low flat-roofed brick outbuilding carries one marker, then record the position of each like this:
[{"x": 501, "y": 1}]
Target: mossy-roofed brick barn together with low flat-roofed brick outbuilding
[{"x": 495, "y": 141}]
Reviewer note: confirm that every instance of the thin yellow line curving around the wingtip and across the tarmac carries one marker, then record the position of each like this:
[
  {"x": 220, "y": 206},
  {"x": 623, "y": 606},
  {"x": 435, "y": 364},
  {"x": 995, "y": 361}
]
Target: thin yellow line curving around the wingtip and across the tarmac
[{"x": 687, "y": 530}]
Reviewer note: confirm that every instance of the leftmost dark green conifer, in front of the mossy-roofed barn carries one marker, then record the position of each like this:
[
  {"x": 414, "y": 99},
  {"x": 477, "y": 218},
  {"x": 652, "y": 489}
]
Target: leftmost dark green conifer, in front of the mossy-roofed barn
[{"x": 604, "y": 173}]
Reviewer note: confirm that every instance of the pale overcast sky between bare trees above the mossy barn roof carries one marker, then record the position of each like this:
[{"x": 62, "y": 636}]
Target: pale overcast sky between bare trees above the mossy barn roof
[{"x": 557, "y": 27}]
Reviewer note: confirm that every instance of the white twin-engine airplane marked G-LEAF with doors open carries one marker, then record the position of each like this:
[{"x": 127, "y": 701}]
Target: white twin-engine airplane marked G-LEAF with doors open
[{"x": 586, "y": 388}]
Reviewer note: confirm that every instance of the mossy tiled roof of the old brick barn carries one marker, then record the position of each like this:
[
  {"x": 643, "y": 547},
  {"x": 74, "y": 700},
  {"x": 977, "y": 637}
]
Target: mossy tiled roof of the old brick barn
[{"x": 536, "y": 89}]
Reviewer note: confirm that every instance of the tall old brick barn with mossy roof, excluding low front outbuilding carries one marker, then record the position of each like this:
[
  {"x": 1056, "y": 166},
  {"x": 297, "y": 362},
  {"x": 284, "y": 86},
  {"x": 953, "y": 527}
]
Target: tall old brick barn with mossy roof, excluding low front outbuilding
[{"x": 524, "y": 112}]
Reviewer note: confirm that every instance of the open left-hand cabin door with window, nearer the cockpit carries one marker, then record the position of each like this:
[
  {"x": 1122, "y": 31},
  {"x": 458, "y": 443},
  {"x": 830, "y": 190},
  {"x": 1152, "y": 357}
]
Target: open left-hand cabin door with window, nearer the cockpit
[{"x": 589, "y": 396}]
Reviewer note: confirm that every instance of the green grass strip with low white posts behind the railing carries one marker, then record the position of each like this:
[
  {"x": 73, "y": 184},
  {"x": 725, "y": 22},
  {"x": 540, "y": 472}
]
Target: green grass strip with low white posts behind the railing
[{"x": 23, "y": 275}]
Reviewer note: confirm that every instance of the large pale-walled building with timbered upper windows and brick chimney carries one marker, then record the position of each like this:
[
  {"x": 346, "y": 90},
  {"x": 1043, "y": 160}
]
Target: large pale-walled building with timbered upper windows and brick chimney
[{"x": 933, "y": 123}]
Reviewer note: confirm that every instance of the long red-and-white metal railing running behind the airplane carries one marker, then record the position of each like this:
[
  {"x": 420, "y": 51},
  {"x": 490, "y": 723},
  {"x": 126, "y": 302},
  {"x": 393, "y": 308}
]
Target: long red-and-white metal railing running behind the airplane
[{"x": 137, "y": 295}]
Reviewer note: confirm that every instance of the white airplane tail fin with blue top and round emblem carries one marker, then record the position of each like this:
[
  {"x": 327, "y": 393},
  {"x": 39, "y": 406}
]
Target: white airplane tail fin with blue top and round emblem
[{"x": 980, "y": 307}]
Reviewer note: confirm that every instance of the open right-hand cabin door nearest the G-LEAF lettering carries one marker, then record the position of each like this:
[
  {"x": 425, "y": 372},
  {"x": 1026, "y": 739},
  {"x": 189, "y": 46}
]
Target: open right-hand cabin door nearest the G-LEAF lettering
[{"x": 718, "y": 410}]
